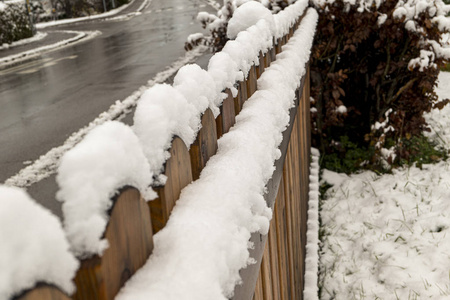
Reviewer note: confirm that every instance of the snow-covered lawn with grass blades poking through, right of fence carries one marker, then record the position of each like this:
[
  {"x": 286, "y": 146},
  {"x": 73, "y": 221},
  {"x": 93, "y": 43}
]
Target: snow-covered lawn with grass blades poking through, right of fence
[{"x": 385, "y": 237}]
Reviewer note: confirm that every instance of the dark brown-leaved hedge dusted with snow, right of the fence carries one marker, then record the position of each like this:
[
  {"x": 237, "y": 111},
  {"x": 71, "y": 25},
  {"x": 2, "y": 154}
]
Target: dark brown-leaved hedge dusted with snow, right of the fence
[{"x": 375, "y": 57}]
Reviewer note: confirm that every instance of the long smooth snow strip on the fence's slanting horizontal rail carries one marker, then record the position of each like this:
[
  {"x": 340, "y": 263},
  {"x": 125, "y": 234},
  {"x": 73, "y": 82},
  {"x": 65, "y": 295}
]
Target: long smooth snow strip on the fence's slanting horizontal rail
[{"x": 199, "y": 253}]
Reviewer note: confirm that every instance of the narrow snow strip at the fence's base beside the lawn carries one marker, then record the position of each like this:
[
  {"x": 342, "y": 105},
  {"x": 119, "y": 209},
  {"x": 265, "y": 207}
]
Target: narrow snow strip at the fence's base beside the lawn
[{"x": 312, "y": 235}]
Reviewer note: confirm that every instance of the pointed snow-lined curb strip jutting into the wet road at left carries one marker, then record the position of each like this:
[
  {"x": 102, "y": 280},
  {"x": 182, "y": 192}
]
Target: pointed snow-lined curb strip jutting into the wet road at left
[{"x": 80, "y": 35}]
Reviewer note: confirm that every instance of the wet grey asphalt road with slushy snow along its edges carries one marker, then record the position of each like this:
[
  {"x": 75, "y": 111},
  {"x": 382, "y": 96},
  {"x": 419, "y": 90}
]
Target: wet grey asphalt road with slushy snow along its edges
[{"x": 44, "y": 101}]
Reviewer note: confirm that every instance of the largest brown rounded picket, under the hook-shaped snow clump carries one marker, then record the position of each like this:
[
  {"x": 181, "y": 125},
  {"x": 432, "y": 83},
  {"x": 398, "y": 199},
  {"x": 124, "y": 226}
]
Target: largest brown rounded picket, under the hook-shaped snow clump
[{"x": 130, "y": 238}]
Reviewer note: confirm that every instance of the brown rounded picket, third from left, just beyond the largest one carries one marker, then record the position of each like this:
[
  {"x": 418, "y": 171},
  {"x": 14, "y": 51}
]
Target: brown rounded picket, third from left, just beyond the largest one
[{"x": 179, "y": 174}]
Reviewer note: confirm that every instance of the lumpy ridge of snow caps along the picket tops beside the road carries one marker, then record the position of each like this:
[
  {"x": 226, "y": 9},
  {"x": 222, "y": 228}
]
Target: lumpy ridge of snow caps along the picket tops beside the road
[{"x": 113, "y": 156}]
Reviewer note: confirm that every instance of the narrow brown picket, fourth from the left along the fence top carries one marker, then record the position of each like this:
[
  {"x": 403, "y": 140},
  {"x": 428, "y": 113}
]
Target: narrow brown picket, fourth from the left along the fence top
[{"x": 205, "y": 144}]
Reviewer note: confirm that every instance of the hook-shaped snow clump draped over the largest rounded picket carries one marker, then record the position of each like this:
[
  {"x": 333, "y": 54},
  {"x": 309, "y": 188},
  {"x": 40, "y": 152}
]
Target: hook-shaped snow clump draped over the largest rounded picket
[{"x": 90, "y": 174}]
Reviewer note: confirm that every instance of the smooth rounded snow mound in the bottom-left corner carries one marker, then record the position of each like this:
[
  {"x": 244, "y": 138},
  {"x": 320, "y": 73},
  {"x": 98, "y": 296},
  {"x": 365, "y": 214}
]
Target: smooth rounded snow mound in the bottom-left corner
[{"x": 33, "y": 246}]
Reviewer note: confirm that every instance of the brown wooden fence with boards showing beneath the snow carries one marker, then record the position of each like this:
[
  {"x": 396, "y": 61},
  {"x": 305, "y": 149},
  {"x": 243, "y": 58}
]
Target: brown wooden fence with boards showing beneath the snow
[{"x": 280, "y": 255}]
